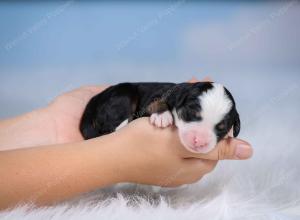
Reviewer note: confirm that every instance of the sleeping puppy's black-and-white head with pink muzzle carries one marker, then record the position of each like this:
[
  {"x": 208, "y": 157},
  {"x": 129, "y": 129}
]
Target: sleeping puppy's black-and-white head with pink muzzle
[{"x": 204, "y": 113}]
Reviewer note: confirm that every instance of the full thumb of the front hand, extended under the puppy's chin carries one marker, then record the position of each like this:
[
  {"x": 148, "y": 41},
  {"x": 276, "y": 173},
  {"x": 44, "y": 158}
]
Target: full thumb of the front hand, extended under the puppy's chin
[{"x": 228, "y": 148}]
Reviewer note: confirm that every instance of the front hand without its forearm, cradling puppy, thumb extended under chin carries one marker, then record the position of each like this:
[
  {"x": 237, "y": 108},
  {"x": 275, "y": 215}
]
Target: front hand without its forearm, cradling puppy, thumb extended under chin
[{"x": 155, "y": 156}]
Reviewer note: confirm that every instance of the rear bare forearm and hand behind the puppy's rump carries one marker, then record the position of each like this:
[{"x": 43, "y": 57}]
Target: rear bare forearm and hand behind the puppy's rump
[{"x": 56, "y": 123}]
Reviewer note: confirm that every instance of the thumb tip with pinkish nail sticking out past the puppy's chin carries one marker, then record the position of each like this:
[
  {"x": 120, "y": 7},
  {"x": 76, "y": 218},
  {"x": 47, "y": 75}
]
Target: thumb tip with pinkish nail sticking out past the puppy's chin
[{"x": 232, "y": 148}]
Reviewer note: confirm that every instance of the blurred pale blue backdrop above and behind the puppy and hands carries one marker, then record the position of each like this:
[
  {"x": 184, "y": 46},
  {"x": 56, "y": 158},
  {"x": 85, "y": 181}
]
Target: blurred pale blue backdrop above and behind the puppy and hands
[{"x": 50, "y": 47}]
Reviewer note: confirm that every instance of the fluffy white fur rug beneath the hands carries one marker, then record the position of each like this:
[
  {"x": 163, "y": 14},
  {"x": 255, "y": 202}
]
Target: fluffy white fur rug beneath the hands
[{"x": 265, "y": 187}]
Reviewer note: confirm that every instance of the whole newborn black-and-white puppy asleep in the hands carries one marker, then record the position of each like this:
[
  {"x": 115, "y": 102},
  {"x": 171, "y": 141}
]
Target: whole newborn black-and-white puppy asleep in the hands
[{"x": 203, "y": 112}]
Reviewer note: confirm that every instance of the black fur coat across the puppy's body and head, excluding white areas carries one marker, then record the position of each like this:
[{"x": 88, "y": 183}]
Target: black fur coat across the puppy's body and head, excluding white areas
[{"x": 109, "y": 109}]
